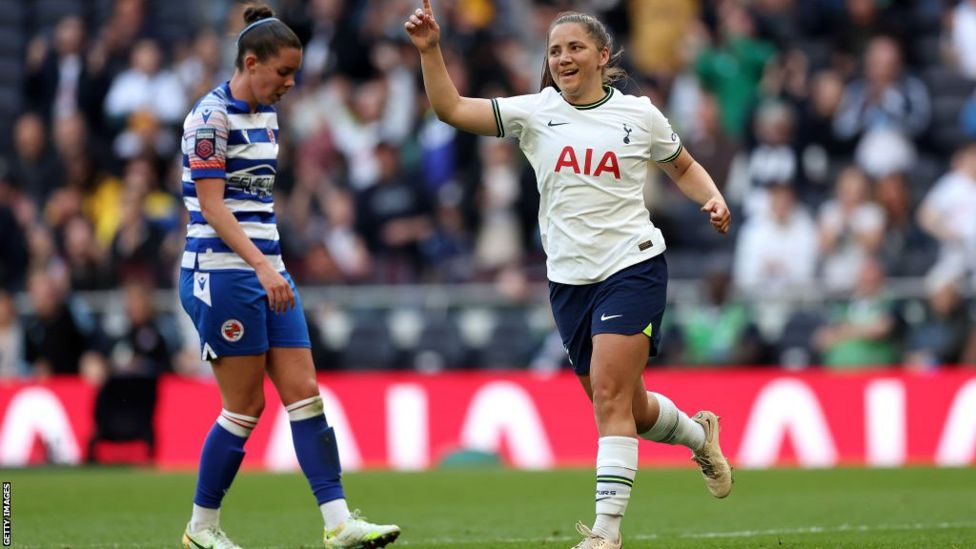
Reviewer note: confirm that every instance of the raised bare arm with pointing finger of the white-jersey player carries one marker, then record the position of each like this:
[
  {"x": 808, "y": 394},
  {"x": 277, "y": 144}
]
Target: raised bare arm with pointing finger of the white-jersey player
[{"x": 465, "y": 113}]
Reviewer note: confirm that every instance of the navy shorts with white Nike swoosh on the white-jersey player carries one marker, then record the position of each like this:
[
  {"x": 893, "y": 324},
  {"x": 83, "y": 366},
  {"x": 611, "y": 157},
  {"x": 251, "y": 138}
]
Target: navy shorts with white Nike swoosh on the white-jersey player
[{"x": 630, "y": 302}]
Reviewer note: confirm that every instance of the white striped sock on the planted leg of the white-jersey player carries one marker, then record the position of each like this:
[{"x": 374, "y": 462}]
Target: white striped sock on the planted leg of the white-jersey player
[{"x": 616, "y": 467}]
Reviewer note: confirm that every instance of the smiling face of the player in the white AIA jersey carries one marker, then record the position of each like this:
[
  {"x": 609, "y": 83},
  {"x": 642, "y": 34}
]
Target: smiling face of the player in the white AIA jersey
[{"x": 576, "y": 63}]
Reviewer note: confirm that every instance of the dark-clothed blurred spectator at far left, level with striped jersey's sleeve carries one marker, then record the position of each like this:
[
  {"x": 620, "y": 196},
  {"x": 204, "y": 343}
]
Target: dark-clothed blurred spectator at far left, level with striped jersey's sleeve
[{"x": 35, "y": 168}]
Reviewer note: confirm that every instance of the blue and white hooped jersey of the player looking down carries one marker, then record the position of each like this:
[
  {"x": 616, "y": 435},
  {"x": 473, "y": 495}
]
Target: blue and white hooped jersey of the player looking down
[{"x": 223, "y": 139}]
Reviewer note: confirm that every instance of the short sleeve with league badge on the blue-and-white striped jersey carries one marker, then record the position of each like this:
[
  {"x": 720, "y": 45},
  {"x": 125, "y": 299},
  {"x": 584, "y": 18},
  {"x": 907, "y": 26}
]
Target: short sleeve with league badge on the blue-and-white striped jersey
[{"x": 205, "y": 143}]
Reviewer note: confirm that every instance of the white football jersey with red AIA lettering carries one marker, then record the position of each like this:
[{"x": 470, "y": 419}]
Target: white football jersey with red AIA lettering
[{"x": 591, "y": 162}]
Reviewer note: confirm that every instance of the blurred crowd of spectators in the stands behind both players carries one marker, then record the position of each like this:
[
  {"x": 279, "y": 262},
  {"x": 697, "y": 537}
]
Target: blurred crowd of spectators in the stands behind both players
[{"x": 839, "y": 130}]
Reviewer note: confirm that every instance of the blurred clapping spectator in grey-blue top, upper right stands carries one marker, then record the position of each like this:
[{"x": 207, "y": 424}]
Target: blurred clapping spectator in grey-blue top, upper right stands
[{"x": 885, "y": 110}]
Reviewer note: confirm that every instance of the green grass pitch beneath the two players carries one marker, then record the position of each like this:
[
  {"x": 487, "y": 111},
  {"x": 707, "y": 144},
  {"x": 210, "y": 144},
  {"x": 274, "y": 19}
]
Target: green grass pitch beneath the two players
[{"x": 497, "y": 508}]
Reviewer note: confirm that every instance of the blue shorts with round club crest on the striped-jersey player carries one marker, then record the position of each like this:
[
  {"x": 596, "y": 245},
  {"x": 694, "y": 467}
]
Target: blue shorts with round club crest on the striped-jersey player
[{"x": 230, "y": 310}]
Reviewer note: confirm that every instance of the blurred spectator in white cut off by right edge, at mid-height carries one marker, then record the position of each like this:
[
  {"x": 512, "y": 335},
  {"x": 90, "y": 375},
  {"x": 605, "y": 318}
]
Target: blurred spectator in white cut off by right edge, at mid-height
[{"x": 948, "y": 210}]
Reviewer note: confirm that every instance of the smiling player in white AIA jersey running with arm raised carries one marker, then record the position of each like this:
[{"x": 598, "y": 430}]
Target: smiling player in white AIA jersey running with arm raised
[{"x": 590, "y": 147}]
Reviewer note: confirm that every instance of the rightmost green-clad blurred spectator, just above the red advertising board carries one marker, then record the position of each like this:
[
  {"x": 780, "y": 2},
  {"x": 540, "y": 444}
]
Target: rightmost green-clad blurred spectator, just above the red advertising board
[{"x": 859, "y": 331}]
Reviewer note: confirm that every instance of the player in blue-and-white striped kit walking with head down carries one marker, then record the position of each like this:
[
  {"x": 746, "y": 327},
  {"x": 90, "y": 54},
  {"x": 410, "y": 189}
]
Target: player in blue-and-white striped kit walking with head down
[{"x": 234, "y": 286}]
